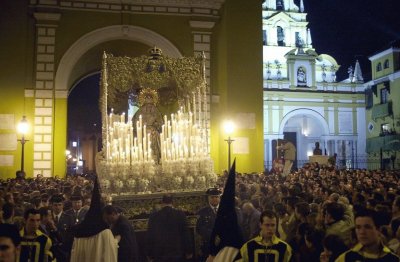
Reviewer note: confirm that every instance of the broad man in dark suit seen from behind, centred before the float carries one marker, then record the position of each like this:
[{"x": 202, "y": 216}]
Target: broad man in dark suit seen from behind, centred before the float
[{"x": 168, "y": 238}]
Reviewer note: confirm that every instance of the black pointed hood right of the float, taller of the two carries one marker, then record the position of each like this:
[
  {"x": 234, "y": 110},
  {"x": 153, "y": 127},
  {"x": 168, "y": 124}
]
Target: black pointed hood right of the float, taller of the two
[{"x": 226, "y": 231}]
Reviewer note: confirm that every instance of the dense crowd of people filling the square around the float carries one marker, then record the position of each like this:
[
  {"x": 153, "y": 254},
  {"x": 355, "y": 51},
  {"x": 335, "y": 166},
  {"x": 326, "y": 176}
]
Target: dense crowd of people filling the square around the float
[{"x": 316, "y": 213}]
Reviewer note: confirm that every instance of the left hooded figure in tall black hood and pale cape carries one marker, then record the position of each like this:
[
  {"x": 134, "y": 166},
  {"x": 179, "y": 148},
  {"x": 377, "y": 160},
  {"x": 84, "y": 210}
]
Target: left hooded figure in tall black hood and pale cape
[{"x": 93, "y": 240}]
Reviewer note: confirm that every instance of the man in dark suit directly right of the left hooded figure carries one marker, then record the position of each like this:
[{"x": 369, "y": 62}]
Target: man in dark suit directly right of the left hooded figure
[{"x": 125, "y": 234}]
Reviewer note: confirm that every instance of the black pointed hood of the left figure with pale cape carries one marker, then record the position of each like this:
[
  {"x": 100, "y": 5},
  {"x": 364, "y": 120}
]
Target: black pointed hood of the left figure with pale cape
[{"x": 93, "y": 222}]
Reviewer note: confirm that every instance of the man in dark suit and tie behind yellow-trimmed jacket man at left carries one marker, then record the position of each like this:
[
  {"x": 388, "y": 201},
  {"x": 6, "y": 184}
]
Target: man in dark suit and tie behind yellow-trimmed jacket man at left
[{"x": 63, "y": 223}]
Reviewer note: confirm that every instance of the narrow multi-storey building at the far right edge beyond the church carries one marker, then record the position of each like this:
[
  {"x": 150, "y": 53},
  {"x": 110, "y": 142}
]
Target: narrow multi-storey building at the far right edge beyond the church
[{"x": 383, "y": 110}]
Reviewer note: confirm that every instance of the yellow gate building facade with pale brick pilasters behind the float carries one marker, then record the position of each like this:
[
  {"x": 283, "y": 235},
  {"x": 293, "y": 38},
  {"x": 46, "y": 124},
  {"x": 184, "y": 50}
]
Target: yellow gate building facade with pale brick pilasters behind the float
[{"x": 52, "y": 45}]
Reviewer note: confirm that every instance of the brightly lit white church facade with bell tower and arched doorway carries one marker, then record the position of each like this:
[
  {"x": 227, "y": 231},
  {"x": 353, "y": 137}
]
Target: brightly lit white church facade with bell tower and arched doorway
[{"x": 303, "y": 101}]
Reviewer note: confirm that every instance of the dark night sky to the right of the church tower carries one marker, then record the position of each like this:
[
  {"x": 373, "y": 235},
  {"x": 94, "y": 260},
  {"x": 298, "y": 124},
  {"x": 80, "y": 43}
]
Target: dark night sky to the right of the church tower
[{"x": 352, "y": 29}]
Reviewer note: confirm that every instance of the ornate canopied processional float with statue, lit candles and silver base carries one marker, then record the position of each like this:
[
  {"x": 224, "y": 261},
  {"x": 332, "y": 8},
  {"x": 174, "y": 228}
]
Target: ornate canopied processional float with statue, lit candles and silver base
[{"x": 165, "y": 146}]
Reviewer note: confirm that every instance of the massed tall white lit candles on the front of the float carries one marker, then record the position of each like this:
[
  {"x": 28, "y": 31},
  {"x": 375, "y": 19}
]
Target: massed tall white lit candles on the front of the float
[{"x": 180, "y": 138}]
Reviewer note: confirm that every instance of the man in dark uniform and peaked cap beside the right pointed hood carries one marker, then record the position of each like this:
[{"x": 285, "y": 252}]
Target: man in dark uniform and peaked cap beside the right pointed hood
[{"x": 206, "y": 220}]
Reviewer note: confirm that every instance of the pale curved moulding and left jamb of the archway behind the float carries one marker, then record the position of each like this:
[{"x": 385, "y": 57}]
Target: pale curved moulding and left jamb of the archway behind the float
[{"x": 64, "y": 80}]
